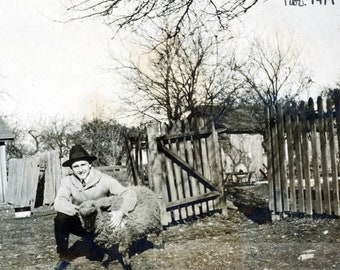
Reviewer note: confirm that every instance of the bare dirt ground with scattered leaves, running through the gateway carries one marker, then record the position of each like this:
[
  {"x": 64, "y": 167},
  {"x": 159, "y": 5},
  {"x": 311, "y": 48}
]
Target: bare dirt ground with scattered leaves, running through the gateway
[{"x": 244, "y": 239}]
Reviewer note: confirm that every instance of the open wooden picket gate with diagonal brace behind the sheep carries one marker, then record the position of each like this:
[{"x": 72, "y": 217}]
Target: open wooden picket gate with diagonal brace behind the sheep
[{"x": 184, "y": 168}]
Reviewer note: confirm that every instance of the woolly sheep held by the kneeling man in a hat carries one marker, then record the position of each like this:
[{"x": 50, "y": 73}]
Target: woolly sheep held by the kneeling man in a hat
[{"x": 143, "y": 220}]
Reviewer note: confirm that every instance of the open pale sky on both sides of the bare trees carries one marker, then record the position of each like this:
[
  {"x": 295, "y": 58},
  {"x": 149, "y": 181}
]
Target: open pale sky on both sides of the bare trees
[{"x": 50, "y": 68}]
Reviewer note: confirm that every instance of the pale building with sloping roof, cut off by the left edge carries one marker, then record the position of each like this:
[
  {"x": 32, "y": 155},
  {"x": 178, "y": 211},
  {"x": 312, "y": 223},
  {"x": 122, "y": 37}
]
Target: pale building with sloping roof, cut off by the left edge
[{"x": 5, "y": 135}]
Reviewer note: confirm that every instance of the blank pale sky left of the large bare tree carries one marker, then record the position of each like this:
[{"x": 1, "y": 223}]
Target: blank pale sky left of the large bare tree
[{"x": 49, "y": 67}]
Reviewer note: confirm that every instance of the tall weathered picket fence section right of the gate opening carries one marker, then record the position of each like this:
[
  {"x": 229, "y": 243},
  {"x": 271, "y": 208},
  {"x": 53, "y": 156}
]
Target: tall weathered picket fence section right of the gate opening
[{"x": 303, "y": 146}]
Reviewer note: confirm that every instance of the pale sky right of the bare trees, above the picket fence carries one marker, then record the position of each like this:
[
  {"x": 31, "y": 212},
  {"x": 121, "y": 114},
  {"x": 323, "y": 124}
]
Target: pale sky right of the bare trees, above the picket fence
[{"x": 315, "y": 29}]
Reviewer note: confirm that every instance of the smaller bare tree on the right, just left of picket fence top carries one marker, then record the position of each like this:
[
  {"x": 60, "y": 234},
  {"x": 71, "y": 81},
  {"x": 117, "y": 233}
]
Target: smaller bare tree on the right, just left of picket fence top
[{"x": 273, "y": 73}]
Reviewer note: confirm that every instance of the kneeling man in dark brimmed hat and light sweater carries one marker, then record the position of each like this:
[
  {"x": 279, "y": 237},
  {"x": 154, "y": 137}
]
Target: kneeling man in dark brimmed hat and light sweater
[{"x": 86, "y": 183}]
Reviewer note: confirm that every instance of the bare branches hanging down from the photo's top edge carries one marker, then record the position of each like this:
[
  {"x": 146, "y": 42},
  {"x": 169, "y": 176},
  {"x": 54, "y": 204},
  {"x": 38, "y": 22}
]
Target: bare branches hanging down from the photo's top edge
[{"x": 137, "y": 14}]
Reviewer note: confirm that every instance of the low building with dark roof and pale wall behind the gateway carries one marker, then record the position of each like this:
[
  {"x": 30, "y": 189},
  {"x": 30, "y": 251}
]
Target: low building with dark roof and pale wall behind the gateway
[{"x": 241, "y": 135}]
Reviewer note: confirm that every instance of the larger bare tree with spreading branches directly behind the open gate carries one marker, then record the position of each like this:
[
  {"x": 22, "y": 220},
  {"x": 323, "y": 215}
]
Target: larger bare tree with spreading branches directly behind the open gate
[{"x": 181, "y": 77}]
